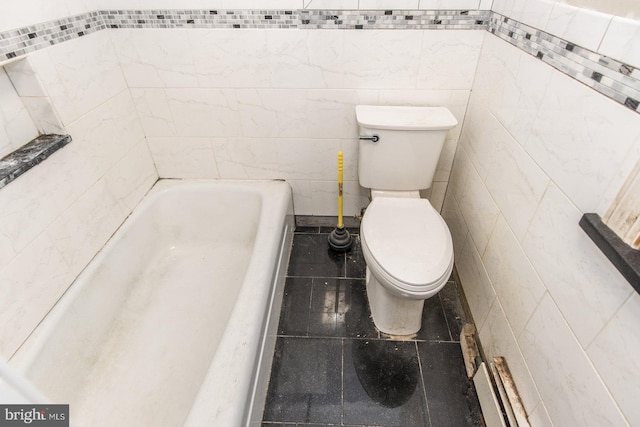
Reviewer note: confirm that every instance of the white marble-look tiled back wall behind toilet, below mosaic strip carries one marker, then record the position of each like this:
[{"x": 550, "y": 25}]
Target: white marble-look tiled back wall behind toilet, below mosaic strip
[{"x": 276, "y": 102}]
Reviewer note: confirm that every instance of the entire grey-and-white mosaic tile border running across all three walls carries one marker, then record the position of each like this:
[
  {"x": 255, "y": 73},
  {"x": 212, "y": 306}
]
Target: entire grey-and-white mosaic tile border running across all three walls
[{"x": 611, "y": 78}]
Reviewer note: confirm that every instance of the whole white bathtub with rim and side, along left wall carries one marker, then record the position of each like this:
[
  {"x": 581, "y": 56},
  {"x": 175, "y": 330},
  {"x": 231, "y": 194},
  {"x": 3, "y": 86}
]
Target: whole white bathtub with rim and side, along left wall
[{"x": 173, "y": 323}]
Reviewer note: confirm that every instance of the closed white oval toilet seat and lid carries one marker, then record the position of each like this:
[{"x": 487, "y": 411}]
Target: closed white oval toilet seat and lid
[{"x": 407, "y": 245}]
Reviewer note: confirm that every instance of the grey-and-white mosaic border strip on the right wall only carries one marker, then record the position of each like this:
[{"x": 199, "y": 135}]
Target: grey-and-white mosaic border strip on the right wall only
[{"x": 613, "y": 79}]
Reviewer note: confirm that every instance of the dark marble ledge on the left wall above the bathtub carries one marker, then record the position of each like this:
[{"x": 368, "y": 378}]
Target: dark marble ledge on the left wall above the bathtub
[{"x": 24, "y": 158}]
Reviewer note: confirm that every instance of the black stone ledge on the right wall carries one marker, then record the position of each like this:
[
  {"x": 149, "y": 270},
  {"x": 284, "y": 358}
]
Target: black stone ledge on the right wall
[{"x": 622, "y": 256}]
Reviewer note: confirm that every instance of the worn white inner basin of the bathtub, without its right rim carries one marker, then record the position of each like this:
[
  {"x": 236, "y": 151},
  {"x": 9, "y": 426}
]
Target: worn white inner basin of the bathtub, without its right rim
[{"x": 148, "y": 305}]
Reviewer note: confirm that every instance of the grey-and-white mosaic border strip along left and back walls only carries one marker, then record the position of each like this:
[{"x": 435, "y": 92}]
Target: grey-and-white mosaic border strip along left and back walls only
[{"x": 16, "y": 43}]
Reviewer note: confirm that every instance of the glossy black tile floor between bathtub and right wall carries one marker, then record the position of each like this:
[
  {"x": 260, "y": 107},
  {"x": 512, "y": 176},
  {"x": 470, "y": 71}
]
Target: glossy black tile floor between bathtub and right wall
[{"x": 332, "y": 367}]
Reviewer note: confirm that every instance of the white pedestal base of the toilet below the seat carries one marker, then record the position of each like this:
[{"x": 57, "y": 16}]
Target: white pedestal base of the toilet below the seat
[{"x": 392, "y": 314}]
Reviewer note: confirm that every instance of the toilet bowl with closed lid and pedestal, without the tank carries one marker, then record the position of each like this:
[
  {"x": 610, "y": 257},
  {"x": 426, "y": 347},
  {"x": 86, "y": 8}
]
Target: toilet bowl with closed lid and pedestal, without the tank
[{"x": 408, "y": 250}]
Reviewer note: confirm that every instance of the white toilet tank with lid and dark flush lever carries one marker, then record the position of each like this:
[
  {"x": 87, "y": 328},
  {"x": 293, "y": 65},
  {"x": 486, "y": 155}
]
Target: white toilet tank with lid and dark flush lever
[{"x": 410, "y": 140}]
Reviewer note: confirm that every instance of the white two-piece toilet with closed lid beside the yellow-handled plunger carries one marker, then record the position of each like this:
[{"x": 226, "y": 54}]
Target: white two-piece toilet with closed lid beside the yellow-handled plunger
[{"x": 406, "y": 244}]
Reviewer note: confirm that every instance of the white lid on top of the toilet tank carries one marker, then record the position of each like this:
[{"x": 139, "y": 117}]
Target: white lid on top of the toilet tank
[{"x": 404, "y": 117}]
